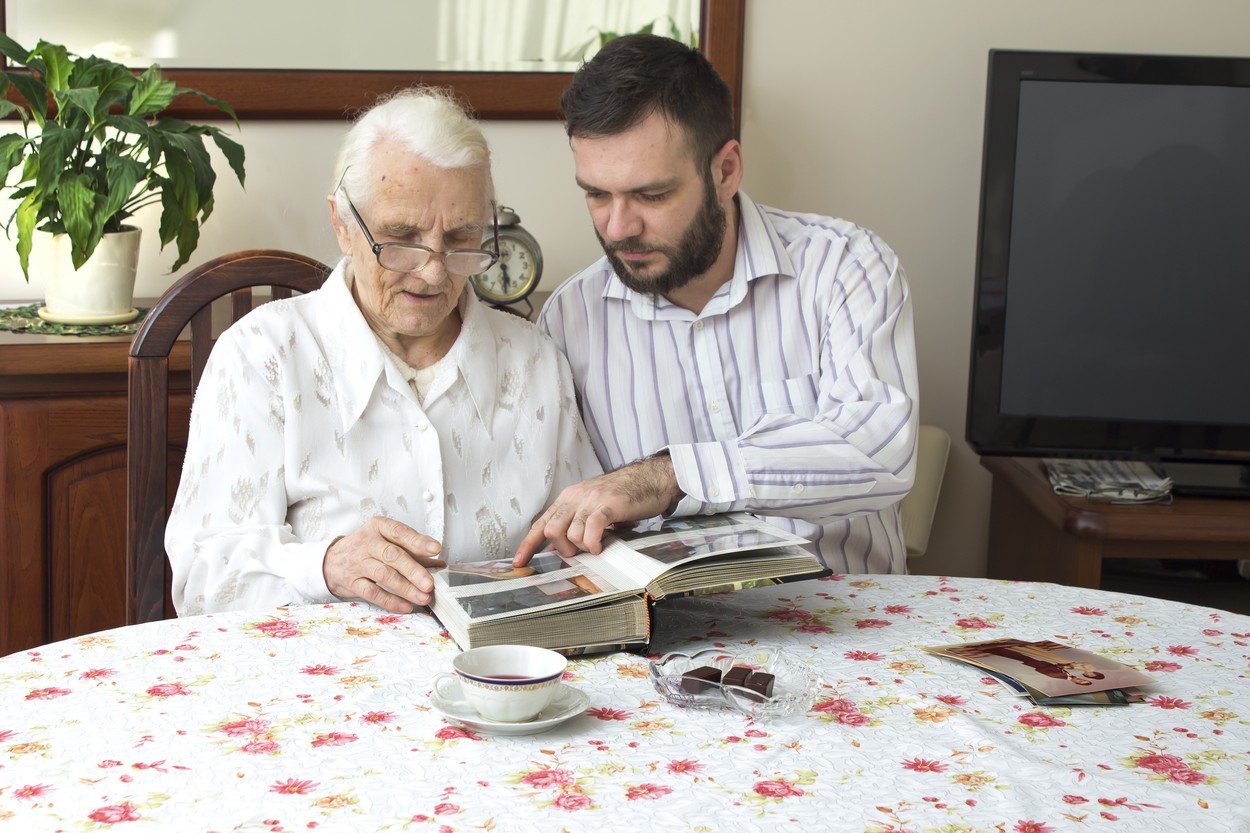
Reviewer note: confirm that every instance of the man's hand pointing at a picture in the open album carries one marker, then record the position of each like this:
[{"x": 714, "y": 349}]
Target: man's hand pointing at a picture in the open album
[{"x": 579, "y": 517}]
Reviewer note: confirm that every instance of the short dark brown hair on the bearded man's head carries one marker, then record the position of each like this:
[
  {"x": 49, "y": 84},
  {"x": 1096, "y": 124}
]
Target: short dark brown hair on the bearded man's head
[{"x": 637, "y": 76}]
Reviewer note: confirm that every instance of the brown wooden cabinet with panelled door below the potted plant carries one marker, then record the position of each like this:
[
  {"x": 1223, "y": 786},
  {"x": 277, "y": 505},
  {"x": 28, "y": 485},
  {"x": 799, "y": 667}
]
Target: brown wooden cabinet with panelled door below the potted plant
[{"x": 63, "y": 483}]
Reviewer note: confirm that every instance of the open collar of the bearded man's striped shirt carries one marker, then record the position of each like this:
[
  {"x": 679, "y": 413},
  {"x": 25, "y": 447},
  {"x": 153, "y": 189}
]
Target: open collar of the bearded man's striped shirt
[{"x": 761, "y": 253}]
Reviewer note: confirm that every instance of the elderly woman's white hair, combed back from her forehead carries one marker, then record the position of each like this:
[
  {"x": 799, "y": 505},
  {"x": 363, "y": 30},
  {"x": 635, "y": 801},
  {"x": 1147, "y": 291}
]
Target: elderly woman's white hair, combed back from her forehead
[{"x": 427, "y": 121}]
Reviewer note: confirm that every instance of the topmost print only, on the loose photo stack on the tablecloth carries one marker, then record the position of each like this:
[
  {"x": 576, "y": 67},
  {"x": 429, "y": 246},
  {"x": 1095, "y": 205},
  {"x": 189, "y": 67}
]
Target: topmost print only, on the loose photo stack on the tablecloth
[{"x": 1047, "y": 667}]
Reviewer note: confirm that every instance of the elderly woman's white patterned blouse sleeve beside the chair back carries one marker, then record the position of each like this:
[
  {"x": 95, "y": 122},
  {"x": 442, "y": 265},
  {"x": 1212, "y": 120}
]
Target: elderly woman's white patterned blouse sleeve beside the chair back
[{"x": 228, "y": 540}]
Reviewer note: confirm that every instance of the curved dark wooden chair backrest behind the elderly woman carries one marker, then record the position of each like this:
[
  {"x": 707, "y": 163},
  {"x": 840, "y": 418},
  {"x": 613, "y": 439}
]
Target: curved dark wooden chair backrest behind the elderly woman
[{"x": 189, "y": 302}]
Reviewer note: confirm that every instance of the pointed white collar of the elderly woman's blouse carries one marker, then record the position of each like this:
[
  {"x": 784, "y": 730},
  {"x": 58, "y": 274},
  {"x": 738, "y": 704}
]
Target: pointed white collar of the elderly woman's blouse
[{"x": 358, "y": 361}]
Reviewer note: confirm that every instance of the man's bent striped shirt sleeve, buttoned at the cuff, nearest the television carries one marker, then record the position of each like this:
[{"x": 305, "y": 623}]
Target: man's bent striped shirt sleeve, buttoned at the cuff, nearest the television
[{"x": 856, "y": 453}]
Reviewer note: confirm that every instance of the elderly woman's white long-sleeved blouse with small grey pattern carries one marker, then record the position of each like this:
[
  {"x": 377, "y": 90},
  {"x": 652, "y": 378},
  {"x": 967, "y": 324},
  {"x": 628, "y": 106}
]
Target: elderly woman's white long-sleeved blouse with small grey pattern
[{"x": 303, "y": 428}]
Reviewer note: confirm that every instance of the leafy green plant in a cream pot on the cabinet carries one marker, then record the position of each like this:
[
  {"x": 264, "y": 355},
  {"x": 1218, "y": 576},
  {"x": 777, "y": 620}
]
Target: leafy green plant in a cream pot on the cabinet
[{"x": 92, "y": 151}]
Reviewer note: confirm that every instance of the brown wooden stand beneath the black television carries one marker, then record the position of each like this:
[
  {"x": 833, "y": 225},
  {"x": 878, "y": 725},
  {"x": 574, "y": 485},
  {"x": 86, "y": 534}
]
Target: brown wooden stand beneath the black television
[{"x": 1039, "y": 536}]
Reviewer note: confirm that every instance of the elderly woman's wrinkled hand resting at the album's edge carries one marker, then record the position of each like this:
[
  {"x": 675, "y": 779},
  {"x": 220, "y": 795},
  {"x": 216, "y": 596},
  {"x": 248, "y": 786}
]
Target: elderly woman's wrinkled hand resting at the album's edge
[{"x": 386, "y": 563}]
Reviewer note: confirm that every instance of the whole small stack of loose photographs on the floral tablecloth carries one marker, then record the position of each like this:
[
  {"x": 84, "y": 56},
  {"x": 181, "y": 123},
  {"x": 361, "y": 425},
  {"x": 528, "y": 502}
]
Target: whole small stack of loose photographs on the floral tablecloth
[{"x": 1051, "y": 674}]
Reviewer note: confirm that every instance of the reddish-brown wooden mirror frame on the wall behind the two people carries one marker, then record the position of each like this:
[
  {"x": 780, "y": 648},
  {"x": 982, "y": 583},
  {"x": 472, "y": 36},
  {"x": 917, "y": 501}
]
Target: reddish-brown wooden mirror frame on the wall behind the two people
[{"x": 339, "y": 94}]
